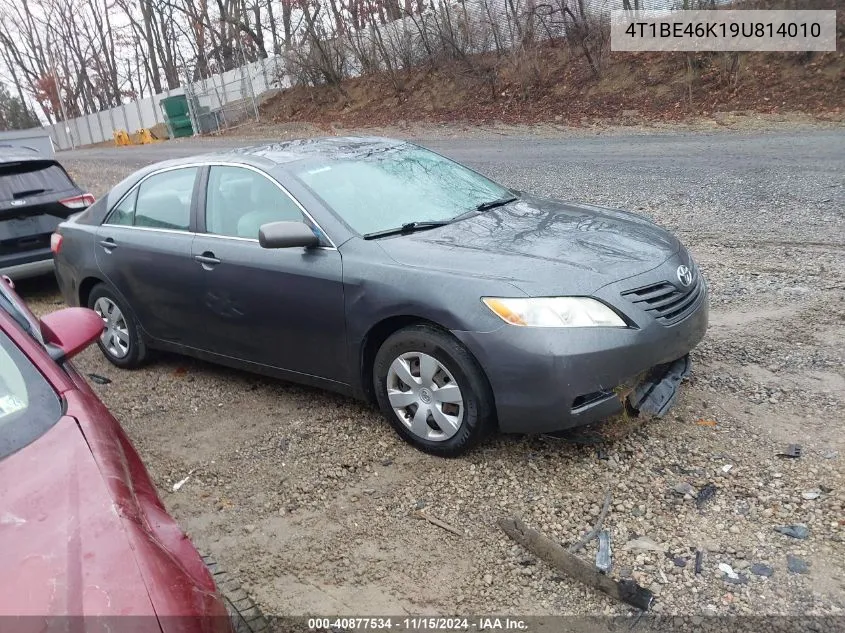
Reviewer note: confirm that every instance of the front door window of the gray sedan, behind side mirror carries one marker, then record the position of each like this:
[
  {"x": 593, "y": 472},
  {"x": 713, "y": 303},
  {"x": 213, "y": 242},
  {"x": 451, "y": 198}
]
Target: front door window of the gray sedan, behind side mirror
[{"x": 239, "y": 201}]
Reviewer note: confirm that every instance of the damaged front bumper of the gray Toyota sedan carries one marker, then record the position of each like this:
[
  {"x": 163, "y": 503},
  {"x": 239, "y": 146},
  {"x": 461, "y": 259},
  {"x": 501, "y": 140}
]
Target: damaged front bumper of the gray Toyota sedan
[{"x": 546, "y": 380}]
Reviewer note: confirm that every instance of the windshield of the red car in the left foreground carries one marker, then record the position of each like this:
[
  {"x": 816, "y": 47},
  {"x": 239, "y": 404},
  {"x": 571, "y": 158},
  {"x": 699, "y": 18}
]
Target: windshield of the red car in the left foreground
[{"x": 28, "y": 404}]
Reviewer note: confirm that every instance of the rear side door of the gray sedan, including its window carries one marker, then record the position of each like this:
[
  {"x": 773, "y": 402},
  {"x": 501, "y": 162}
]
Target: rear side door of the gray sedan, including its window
[{"x": 144, "y": 249}]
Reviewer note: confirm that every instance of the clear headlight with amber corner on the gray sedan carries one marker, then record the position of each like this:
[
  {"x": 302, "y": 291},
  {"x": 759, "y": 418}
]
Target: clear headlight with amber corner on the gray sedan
[{"x": 554, "y": 312}]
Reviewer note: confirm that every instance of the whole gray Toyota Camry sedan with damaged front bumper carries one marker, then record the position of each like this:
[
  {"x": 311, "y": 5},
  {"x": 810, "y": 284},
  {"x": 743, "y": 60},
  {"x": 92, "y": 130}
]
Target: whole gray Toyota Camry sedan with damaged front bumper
[{"x": 379, "y": 269}]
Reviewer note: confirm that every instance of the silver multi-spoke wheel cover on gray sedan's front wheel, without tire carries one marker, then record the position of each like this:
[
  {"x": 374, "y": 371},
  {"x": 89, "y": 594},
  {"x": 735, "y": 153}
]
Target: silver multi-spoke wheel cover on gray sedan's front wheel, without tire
[{"x": 425, "y": 396}]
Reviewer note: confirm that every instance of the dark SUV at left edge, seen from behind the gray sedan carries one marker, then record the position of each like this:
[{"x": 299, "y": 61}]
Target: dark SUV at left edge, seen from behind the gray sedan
[{"x": 36, "y": 194}]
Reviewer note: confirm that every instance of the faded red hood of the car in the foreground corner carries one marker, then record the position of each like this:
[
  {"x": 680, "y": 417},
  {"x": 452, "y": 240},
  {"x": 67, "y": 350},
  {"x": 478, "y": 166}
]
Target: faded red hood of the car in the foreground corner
[{"x": 62, "y": 543}]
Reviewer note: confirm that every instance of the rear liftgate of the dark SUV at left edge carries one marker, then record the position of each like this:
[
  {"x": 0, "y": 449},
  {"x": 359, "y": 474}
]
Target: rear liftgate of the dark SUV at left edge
[{"x": 30, "y": 208}]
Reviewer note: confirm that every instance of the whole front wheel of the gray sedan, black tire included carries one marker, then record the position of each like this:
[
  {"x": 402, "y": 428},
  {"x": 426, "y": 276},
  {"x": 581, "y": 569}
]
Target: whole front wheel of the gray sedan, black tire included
[{"x": 432, "y": 391}]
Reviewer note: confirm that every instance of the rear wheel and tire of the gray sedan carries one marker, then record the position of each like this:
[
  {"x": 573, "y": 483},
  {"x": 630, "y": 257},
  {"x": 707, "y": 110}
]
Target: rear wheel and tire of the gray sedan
[{"x": 121, "y": 342}]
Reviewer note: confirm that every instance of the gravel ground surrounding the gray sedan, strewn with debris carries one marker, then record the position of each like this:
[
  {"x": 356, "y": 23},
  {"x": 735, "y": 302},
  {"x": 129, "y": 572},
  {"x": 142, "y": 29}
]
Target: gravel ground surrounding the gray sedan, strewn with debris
[{"x": 311, "y": 500}]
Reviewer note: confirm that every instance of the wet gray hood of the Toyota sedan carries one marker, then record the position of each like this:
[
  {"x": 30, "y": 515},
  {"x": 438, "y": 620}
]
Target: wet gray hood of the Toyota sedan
[{"x": 542, "y": 246}]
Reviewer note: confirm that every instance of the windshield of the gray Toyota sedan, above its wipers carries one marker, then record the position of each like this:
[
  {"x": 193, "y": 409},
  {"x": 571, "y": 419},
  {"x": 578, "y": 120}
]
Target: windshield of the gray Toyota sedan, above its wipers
[{"x": 397, "y": 186}]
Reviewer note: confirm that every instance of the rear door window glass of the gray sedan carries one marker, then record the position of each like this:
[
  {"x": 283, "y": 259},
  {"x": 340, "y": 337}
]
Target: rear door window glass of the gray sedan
[{"x": 162, "y": 201}]
